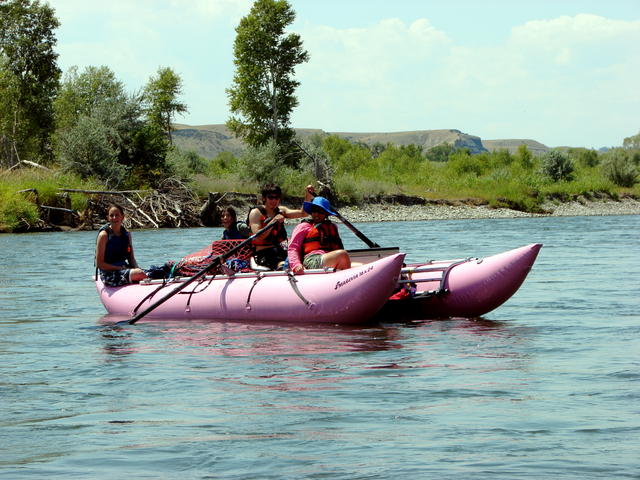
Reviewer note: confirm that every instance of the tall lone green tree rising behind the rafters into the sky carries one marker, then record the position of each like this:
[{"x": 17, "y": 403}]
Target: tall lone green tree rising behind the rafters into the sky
[{"x": 262, "y": 96}]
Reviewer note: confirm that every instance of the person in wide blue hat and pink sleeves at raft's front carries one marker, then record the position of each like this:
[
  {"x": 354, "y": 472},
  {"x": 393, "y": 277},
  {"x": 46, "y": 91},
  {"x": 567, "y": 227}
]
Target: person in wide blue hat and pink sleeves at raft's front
[{"x": 315, "y": 243}]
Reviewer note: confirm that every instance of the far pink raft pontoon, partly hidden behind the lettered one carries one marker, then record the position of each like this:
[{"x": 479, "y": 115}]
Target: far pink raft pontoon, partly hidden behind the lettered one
[{"x": 468, "y": 287}]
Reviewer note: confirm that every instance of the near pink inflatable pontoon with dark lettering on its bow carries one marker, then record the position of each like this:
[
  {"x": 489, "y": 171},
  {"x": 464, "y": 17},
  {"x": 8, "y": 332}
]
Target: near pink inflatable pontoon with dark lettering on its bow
[{"x": 345, "y": 297}]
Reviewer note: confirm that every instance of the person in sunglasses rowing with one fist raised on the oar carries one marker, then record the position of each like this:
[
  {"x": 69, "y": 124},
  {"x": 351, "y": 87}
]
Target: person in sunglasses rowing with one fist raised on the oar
[{"x": 268, "y": 246}]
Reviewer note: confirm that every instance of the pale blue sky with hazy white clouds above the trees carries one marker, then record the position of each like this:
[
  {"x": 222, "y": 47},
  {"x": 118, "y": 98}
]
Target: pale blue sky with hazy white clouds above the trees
[{"x": 561, "y": 72}]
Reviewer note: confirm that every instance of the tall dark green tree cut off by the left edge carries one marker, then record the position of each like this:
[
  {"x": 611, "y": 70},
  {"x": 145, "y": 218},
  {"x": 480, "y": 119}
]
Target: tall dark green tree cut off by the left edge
[{"x": 29, "y": 79}]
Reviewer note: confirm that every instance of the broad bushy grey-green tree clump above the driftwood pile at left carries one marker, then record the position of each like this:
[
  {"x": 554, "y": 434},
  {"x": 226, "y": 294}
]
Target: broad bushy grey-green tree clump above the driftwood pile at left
[{"x": 103, "y": 133}]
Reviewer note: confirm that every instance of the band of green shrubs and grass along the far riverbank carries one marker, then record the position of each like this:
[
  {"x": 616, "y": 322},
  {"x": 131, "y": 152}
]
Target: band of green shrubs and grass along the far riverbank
[{"x": 357, "y": 174}]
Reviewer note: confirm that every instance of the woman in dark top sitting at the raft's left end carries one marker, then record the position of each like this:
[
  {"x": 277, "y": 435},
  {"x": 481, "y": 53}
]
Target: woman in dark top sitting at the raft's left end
[{"x": 114, "y": 252}]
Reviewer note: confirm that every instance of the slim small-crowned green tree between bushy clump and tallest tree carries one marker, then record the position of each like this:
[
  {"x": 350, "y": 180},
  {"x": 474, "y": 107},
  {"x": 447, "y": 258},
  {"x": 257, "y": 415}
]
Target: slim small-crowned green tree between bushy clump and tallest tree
[{"x": 161, "y": 99}]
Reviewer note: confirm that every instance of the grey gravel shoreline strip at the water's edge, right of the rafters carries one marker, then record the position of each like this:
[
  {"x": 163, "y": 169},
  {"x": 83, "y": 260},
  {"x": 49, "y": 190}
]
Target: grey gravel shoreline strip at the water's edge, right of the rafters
[{"x": 400, "y": 213}]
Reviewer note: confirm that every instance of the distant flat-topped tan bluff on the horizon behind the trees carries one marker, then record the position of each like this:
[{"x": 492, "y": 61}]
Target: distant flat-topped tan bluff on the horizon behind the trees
[{"x": 210, "y": 140}]
